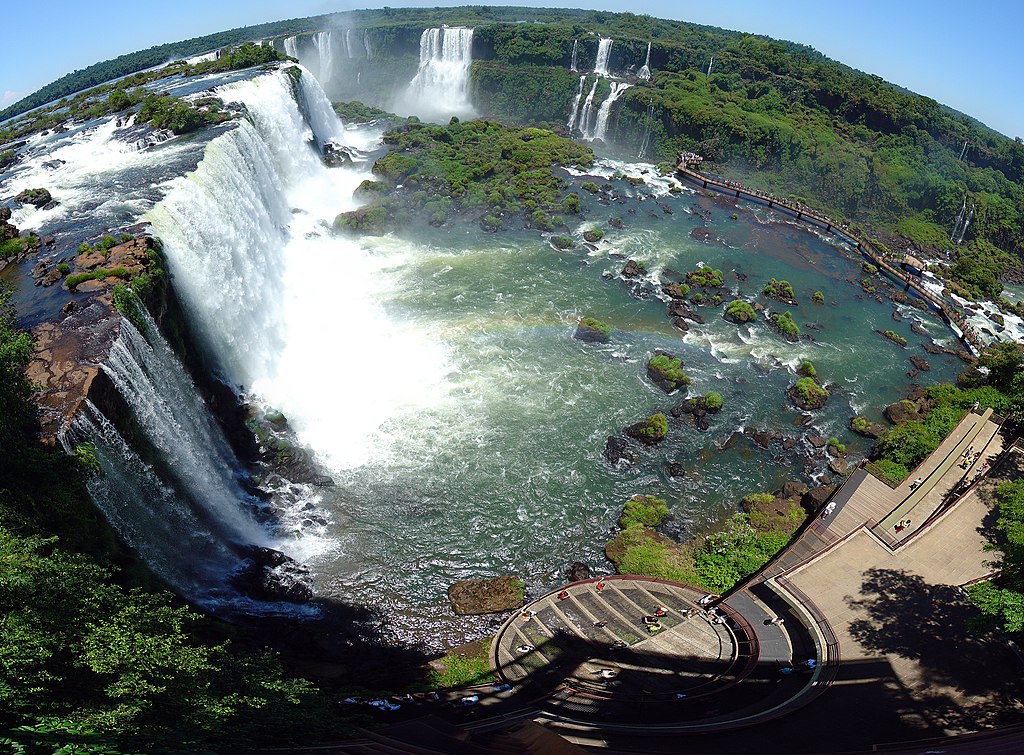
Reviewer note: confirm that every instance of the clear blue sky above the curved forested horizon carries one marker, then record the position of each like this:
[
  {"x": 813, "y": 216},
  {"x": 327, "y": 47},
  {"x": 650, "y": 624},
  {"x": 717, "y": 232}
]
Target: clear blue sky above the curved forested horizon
[{"x": 964, "y": 55}]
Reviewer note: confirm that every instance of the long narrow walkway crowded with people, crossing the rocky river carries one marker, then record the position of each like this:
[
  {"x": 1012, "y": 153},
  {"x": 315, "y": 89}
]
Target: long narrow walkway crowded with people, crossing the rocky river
[{"x": 953, "y": 317}]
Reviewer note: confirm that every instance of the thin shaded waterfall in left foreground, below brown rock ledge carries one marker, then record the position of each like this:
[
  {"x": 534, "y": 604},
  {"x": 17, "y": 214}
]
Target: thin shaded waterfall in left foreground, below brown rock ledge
[{"x": 185, "y": 513}]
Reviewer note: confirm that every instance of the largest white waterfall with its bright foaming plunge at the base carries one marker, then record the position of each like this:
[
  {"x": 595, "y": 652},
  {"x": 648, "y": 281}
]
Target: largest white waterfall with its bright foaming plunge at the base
[{"x": 289, "y": 310}]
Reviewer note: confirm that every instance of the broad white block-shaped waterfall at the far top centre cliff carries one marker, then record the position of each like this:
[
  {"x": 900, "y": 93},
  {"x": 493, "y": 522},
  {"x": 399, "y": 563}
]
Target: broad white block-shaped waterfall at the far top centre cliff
[{"x": 441, "y": 88}]
